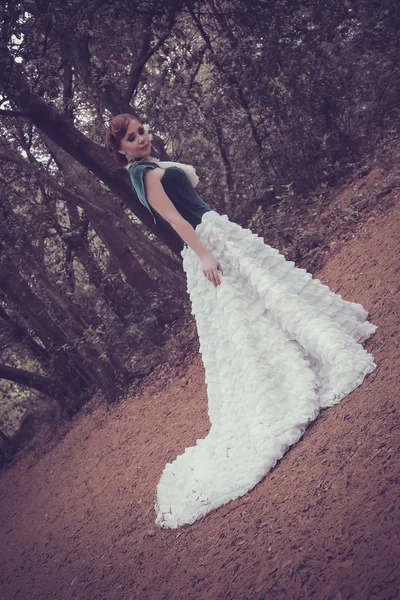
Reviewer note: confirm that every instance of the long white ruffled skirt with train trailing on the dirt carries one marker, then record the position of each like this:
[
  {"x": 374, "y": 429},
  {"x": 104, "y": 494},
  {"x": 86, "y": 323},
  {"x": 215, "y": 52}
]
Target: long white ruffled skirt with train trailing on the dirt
[{"x": 277, "y": 346}]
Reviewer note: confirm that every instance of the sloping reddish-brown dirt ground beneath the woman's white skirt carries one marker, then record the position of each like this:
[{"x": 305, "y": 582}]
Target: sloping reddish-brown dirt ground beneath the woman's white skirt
[{"x": 78, "y": 521}]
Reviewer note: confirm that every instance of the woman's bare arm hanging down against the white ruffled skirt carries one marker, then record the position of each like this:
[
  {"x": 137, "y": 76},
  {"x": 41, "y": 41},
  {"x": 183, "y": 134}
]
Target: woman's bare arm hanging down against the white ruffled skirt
[{"x": 159, "y": 200}]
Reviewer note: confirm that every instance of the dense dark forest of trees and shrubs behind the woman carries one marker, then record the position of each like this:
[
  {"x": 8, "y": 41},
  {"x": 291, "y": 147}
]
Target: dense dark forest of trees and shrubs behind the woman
[{"x": 274, "y": 102}]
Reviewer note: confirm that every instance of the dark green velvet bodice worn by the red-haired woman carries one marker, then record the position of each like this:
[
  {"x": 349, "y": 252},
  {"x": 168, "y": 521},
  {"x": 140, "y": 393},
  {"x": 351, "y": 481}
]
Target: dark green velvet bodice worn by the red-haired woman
[{"x": 178, "y": 188}]
